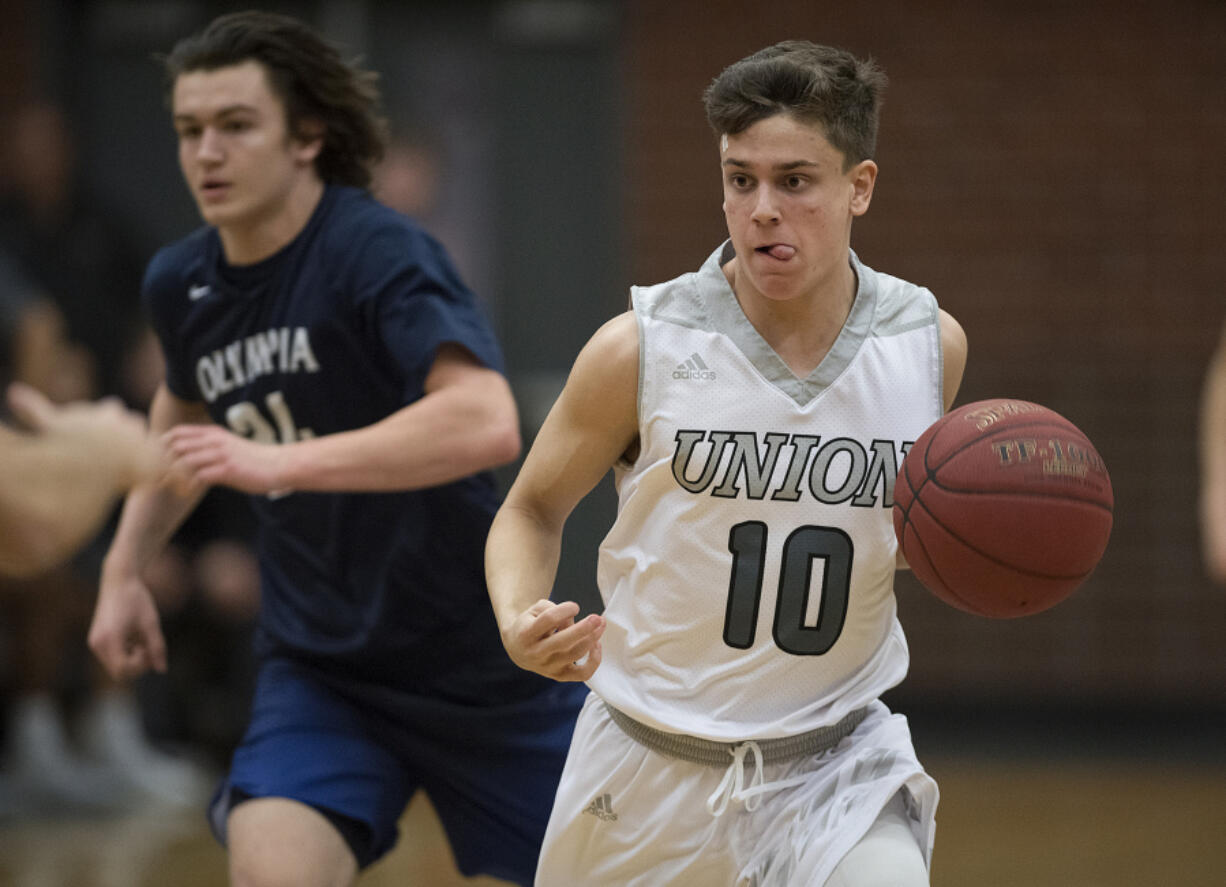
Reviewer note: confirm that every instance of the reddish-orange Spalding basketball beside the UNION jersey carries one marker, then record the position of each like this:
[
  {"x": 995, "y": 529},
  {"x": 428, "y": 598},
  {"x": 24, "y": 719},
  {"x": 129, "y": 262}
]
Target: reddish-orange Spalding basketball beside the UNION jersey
[{"x": 1002, "y": 509}]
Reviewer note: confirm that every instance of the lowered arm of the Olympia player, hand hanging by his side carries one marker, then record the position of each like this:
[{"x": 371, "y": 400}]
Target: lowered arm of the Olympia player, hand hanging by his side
[{"x": 126, "y": 635}]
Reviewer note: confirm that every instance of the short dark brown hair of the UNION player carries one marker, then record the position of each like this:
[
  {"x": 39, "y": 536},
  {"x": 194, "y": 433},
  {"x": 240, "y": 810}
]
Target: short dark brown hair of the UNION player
[{"x": 812, "y": 83}]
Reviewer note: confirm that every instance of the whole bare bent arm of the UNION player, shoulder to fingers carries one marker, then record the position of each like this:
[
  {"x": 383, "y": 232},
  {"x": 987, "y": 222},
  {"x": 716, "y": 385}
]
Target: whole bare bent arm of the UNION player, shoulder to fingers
[{"x": 594, "y": 423}]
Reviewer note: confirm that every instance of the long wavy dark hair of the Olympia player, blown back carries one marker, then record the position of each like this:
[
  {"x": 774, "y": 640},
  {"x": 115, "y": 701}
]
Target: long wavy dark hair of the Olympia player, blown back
[{"x": 311, "y": 79}]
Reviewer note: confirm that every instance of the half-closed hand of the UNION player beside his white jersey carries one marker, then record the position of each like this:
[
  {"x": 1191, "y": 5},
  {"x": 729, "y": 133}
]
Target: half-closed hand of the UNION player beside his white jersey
[{"x": 546, "y": 640}]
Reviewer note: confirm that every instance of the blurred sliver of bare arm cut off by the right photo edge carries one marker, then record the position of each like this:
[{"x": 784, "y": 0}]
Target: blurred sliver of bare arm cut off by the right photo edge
[{"x": 1213, "y": 464}]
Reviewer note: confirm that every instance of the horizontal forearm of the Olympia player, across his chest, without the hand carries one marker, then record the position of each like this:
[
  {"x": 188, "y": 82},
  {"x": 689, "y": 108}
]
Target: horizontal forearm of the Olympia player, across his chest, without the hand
[{"x": 446, "y": 436}]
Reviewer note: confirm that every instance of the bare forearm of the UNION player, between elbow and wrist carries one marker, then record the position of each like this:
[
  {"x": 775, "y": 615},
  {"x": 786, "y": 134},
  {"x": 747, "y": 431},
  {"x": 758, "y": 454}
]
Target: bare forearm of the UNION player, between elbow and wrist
[{"x": 522, "y": 561}]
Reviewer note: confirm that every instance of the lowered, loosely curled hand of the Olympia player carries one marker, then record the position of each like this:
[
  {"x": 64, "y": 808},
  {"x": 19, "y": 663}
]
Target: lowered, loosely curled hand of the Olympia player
[{"x": 126, "y": 635}]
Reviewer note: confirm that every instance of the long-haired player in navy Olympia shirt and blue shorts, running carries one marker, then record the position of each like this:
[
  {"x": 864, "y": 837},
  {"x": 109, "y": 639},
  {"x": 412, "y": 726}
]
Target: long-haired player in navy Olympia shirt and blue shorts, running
[{"x": 324, "y": 356}]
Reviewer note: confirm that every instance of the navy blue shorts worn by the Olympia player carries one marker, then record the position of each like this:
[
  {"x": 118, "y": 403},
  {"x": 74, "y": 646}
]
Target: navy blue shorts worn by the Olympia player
[{"x": 360, "y": 754}]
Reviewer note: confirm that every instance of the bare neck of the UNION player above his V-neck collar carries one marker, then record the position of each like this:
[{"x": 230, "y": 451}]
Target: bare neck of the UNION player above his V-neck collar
[{"x": 801, "y": 331}]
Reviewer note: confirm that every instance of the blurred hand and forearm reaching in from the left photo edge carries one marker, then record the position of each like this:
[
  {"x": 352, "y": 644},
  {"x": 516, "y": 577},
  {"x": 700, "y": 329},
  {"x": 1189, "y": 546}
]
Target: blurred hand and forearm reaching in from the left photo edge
[{"x": 59, "y": 483}]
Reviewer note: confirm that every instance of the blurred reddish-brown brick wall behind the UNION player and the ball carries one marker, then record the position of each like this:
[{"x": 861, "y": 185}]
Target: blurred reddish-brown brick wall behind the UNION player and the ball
[{"x": 1055, "y": 175}]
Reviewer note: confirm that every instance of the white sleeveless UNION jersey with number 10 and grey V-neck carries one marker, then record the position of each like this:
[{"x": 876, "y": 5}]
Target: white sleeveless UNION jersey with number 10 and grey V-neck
[{"x": 748, "y": 580}]
